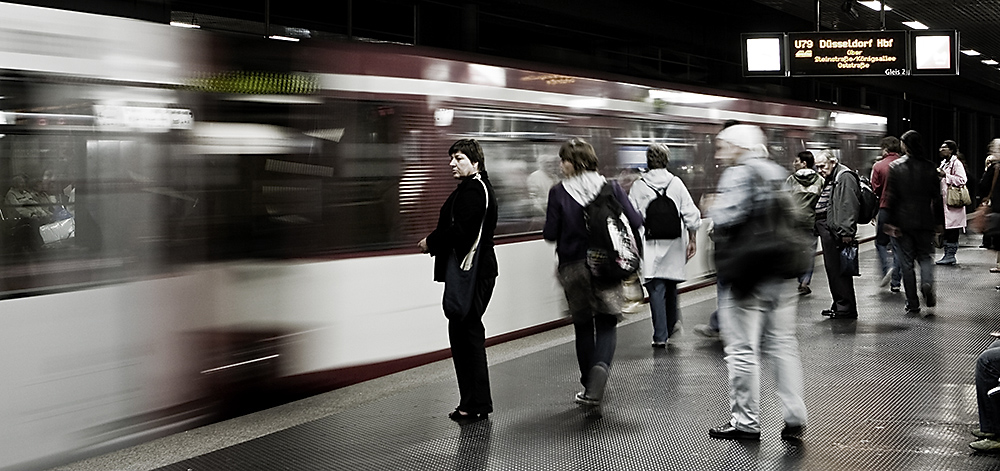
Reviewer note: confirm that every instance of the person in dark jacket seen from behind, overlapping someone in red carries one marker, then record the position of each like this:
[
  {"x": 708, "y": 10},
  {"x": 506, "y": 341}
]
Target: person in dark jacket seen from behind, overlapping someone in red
[{"x": 915, "y": 213}]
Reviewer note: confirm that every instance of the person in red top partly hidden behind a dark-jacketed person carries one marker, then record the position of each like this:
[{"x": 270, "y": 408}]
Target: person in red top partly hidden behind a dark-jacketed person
[{"x": 888, "y": 262}]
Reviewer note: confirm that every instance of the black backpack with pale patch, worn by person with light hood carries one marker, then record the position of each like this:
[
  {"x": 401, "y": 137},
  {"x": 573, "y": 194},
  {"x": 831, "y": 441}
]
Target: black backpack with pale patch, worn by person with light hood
[{"x": 612, "y": 250}]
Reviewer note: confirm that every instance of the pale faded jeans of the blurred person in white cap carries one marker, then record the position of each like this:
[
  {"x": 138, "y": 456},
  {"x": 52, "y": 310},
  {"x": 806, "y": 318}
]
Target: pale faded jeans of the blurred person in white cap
[{"x": 762, "y": 322}]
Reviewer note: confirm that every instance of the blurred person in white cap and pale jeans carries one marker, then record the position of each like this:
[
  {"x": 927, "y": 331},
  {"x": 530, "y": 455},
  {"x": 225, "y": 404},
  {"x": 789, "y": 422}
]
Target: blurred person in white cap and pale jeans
[{"x": 759, "y": 317}]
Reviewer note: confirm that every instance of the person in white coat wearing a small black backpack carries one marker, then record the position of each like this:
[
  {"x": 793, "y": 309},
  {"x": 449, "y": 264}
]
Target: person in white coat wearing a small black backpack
[{"x": 664, "y": 258}]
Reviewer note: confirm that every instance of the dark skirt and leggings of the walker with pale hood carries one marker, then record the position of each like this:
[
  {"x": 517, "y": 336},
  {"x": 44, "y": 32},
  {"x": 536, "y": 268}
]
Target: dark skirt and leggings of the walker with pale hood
[{"x": 596, "y": 335}]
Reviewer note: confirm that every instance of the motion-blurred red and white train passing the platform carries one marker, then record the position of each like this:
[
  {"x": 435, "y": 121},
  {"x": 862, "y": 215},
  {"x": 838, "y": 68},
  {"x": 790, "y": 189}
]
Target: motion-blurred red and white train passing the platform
[{"x": 196, "y": 220}]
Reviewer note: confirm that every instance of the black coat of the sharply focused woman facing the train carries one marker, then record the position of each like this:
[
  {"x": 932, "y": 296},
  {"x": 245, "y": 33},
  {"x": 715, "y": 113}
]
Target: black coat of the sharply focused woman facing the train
[{"x": 458, "y": 225}]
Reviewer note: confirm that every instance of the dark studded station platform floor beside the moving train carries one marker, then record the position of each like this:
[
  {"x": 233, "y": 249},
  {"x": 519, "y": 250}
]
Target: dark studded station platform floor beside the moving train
[{"x": 888, "y": 391}]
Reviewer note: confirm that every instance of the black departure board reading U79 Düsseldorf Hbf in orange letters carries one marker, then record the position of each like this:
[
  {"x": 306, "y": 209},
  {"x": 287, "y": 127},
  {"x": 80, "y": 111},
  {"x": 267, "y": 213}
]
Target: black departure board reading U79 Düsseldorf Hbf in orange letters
[{"x": 848, "y": 53}]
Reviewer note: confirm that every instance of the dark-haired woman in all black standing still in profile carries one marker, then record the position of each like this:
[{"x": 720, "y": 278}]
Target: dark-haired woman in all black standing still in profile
[{"x": 467, "y": 218}]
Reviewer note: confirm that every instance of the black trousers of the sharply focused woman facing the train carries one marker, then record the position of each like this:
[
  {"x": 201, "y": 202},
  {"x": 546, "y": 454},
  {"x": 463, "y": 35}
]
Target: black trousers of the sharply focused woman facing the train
[{"x": 468, "y": 351}]
